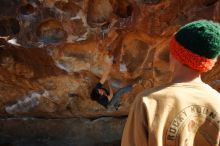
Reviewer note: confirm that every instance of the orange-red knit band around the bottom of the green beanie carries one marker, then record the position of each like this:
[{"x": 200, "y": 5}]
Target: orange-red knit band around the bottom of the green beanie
[{"x": 189, "y": 58}]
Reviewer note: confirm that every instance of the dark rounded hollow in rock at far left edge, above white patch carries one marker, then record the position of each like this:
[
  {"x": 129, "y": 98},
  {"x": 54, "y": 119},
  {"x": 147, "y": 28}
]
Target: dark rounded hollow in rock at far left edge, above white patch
[{"x": 9, "y": 26}]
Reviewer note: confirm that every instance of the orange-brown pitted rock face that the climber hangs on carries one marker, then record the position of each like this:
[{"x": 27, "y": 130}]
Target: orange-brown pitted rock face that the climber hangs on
[{"x": 53, "y": 52}]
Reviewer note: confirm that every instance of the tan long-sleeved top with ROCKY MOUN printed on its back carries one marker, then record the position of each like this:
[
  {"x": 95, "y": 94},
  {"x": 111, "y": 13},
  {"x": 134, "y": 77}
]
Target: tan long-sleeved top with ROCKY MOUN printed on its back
[{"x": 181, "y": 114}]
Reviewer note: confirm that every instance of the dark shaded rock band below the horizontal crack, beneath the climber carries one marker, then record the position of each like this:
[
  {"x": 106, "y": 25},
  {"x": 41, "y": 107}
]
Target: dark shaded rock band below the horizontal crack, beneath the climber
[{"x": 61, "y": 132}]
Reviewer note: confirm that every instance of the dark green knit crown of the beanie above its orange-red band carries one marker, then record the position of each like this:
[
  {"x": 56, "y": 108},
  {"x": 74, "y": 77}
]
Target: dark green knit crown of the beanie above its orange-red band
[{"x": 201, "y": 37}]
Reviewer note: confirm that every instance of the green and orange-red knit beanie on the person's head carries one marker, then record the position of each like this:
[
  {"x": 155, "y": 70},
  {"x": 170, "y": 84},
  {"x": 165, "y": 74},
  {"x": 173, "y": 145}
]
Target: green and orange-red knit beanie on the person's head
[{"x": 197, "y": 44}]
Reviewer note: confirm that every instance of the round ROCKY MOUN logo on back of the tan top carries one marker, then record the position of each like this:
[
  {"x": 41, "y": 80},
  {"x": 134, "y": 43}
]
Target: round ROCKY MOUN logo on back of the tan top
[{"x": 194, "y": 125}]
